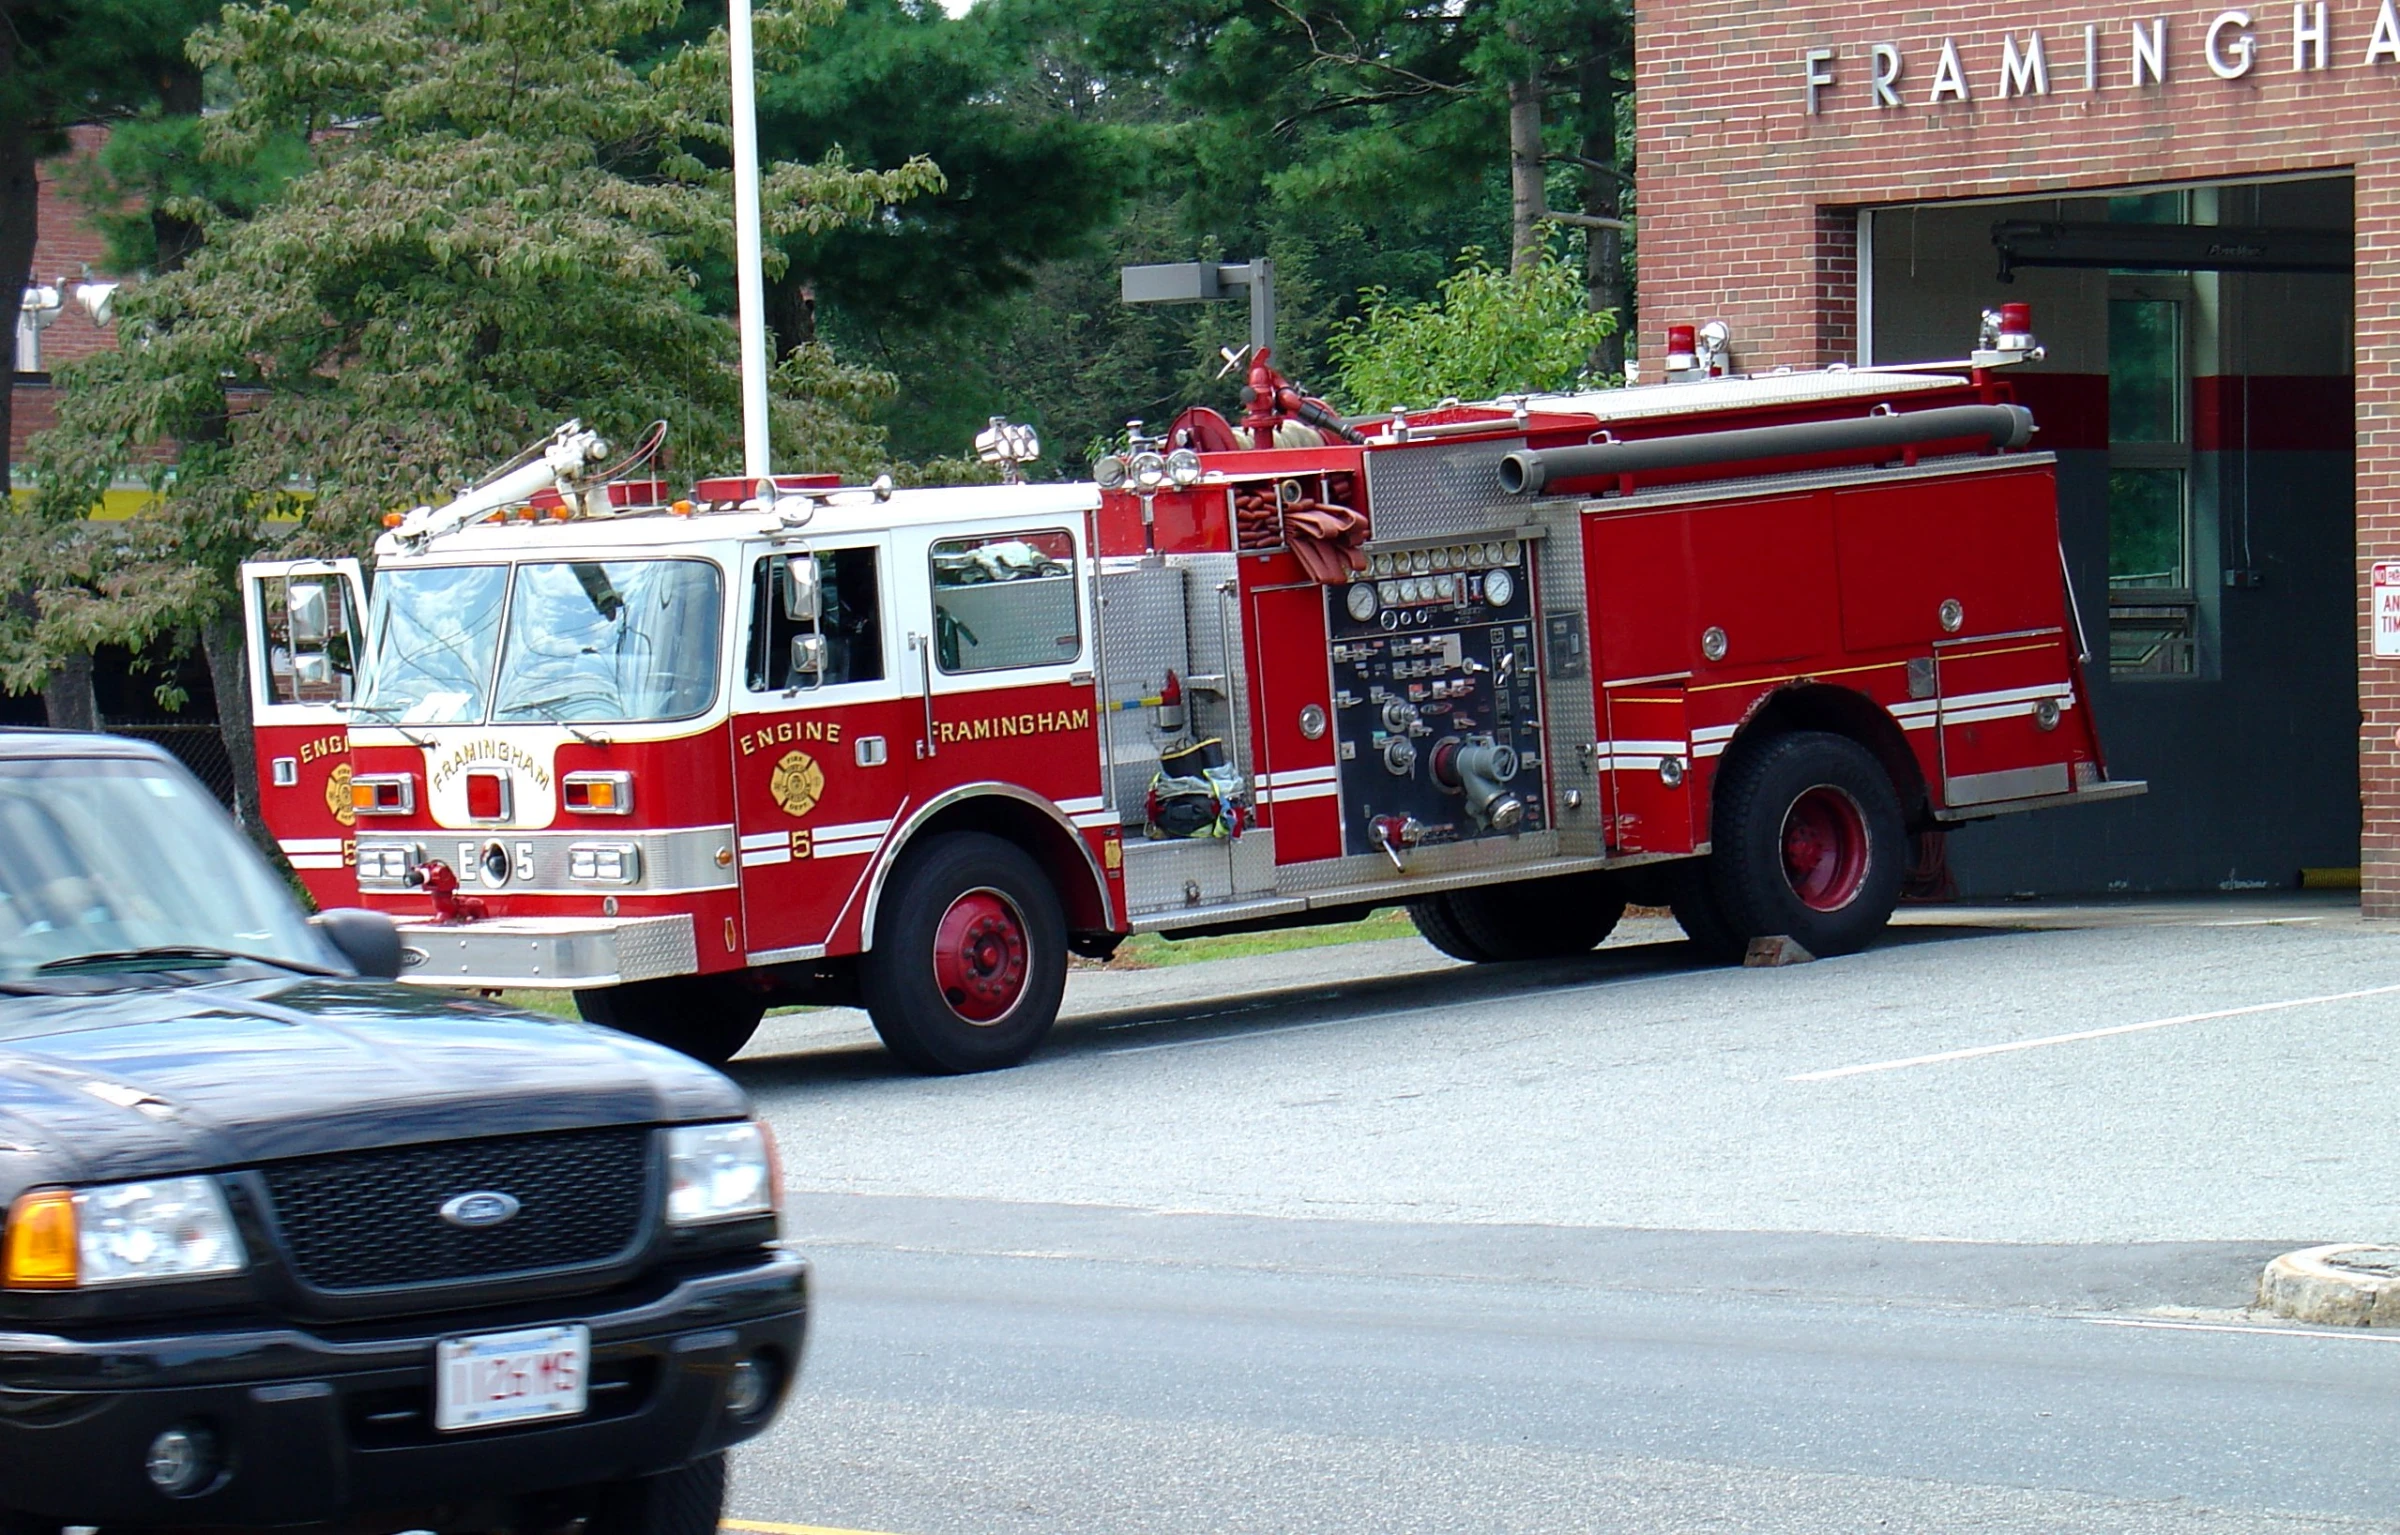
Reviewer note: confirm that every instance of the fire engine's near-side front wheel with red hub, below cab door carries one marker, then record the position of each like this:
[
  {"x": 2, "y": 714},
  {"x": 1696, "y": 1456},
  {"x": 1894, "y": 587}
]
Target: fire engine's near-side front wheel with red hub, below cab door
[{"x": 1007, "y": 956}]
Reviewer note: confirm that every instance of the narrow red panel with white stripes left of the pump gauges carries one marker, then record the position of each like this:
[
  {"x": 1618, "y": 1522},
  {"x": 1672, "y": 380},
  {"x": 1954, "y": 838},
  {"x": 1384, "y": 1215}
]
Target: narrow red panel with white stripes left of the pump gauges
[{"x": 1300, "y": 778}]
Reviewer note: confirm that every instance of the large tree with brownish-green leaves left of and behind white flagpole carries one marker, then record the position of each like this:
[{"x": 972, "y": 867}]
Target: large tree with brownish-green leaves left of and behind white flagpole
[{"x": 503, "y": 227}]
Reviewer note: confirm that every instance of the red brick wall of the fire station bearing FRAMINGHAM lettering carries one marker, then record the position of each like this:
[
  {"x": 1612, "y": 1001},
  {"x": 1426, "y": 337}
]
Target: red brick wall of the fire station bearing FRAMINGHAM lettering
[{"x": 1751, "y": 198}]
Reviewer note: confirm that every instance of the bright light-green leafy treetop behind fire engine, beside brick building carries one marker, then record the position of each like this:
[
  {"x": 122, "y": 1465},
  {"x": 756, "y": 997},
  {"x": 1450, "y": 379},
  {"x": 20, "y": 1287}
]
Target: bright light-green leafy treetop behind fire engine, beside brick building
[{"x": 1487, "y": 335}]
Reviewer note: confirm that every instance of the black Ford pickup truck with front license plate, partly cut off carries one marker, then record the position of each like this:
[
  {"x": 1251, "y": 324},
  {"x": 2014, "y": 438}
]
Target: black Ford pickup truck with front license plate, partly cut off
[{"x": 289, "y": 1244}]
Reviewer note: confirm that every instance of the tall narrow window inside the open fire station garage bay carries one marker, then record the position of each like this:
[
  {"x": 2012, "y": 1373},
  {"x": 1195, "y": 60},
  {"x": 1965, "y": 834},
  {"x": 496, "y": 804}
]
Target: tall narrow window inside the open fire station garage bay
[{"x": 2154, "y": 610}]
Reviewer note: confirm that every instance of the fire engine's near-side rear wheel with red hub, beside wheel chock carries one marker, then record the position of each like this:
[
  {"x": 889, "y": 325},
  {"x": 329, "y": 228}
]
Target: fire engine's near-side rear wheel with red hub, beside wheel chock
[{"x": 1811, "y": 843}]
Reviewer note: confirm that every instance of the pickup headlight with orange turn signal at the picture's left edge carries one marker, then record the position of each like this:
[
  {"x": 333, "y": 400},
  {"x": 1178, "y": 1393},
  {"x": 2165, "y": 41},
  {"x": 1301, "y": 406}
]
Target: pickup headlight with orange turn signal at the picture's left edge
[{"x": 121, "y": 1234}]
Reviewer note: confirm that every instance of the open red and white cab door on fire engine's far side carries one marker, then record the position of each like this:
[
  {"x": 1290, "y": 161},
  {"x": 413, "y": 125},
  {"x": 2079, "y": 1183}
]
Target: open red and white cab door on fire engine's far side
[{"x": 306, "y": 630}]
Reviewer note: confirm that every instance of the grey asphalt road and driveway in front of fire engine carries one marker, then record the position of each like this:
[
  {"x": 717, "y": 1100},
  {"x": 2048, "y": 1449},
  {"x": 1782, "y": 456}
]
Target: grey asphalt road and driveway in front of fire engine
[{"x": 1955, "y": 1234}]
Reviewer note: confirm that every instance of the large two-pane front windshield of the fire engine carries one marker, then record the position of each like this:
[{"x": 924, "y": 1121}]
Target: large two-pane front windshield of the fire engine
[{"x": 611, "y": 642}]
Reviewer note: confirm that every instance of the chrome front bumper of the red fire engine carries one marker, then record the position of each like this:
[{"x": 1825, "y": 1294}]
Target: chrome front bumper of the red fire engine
[{"x": 548, "y": 951}]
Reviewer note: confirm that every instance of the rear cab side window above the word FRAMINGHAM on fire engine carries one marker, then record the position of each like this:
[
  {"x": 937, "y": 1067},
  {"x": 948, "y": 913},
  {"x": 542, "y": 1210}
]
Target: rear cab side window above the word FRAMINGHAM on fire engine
[{"x": 1007, "y": 601}]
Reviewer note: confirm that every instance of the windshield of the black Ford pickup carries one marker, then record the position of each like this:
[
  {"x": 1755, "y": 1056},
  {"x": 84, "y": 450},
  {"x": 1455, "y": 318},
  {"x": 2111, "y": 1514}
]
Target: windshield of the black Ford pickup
[{"x": 116, "y": 860}]
